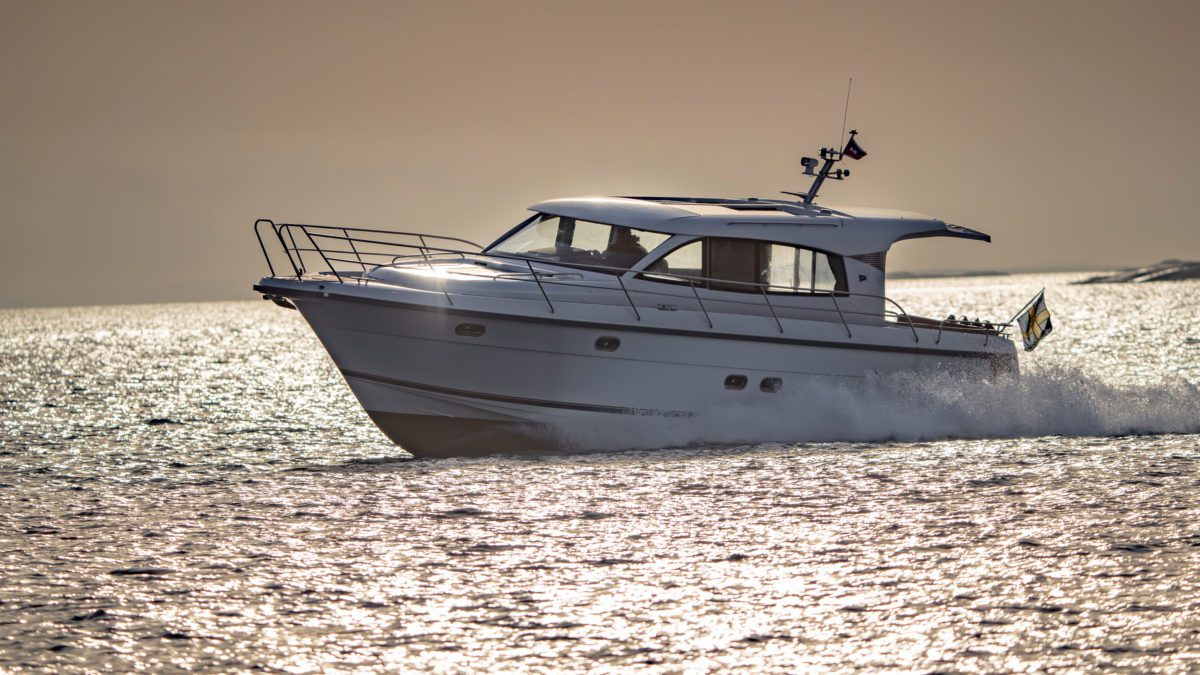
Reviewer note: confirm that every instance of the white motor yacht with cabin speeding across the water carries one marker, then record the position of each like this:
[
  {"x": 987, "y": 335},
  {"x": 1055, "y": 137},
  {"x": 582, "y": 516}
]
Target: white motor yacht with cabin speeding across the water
[{"x": 597, "y": 309}]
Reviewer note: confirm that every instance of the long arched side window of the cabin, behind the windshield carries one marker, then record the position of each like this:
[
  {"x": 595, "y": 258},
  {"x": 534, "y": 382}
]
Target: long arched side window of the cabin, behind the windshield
[{"x": 751, "y": 267}]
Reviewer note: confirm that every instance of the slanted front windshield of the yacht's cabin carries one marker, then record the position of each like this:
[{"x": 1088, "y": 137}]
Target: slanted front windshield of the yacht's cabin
[{"x": 580, "y": 242}]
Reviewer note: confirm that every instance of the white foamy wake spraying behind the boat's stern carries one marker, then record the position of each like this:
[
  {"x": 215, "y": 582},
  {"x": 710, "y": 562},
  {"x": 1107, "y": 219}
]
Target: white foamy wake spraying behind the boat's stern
[{"x": 1052, "y": 402}]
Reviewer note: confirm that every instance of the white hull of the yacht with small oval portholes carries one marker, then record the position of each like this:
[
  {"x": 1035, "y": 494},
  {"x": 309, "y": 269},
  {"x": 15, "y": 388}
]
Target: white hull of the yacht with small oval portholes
[{"x": 535, "y": 374}]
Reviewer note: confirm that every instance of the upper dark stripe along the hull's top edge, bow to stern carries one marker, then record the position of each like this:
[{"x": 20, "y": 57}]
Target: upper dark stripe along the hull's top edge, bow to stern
[{"x": 633, "y": 328}]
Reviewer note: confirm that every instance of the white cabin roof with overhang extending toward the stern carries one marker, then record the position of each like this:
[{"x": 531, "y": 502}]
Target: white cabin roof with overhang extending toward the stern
[{"x": 850, "y": 231}]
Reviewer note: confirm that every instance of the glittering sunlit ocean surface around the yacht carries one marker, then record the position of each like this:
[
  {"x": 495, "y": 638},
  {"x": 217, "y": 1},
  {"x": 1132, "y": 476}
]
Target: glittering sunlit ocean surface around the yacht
[{"x": 193, "y": 487}]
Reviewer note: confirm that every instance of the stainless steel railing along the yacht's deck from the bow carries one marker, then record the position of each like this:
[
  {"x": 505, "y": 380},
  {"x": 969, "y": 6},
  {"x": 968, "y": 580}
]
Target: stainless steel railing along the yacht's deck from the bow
[{"x": 373, "y": 249}]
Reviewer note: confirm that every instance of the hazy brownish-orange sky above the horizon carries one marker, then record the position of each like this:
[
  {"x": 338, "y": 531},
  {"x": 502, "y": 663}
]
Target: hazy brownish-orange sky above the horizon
[{"x": 140, "y": 141}]
